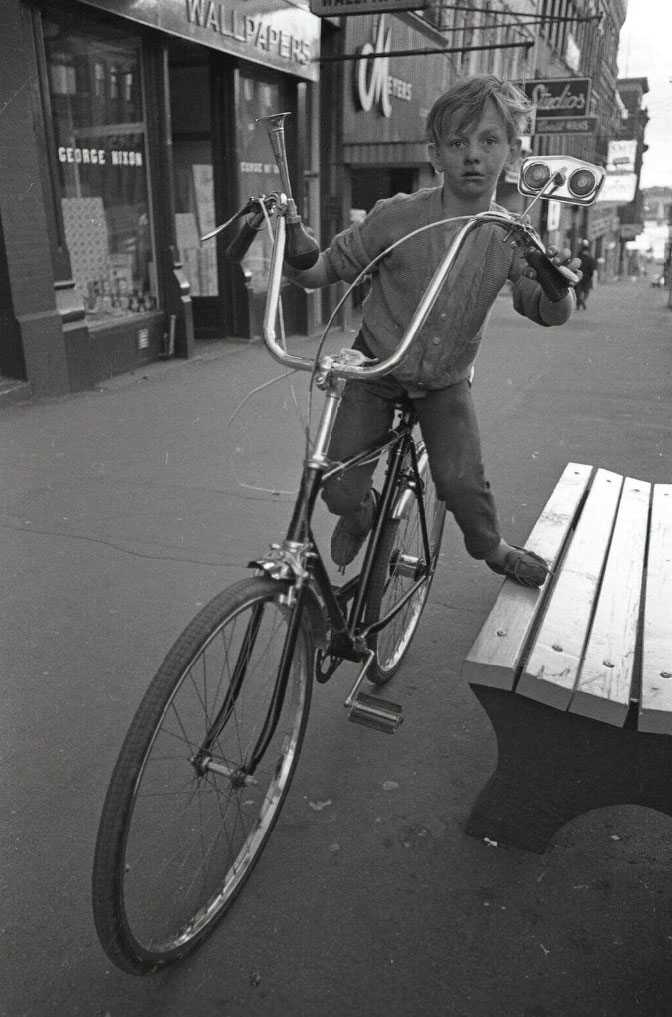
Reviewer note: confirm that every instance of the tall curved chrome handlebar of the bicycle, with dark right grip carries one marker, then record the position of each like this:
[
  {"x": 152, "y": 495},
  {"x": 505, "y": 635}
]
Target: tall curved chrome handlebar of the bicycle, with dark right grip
[{"x": 554, "y": 280}]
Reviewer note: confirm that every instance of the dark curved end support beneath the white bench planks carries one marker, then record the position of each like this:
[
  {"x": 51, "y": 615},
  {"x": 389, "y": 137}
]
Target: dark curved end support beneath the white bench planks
[{"x": 554, "y": 766}]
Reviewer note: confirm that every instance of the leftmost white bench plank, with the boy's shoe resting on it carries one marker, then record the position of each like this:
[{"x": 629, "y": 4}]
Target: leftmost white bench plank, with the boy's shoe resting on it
[{"x": 495, "y": 656}]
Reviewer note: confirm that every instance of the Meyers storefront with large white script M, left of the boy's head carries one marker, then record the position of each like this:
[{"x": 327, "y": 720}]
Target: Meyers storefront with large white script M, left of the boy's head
[{"x": 375, "y": 147}]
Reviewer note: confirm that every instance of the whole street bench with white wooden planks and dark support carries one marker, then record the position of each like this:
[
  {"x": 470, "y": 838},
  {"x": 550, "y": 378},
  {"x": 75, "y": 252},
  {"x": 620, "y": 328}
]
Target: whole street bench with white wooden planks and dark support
[{"x": 577, "y": 678}]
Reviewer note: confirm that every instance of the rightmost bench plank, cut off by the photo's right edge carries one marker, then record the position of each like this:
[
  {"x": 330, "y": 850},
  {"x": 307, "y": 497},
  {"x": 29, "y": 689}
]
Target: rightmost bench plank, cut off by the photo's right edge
[{"x": 656, "y": 701}]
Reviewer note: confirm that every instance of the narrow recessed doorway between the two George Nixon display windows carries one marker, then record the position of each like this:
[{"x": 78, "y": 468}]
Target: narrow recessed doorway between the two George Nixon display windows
[{"x": 195, "y": 185}]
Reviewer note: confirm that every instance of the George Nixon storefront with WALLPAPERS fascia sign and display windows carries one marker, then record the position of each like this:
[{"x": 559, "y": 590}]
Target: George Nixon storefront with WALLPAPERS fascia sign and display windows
[{"x": 145, "y": 139}]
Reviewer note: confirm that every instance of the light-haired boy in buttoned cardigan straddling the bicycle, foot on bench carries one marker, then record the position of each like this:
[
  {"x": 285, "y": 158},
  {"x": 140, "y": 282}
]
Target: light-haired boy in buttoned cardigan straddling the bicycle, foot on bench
[{"x": 473, "y": 133}]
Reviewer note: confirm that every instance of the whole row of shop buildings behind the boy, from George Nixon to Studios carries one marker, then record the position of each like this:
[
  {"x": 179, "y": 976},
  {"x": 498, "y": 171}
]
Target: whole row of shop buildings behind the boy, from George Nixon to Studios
[{"x": 130, "y": 131}]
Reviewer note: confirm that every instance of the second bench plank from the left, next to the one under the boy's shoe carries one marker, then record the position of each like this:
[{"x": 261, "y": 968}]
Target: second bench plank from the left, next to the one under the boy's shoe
[{"x": 552, "y": 670}]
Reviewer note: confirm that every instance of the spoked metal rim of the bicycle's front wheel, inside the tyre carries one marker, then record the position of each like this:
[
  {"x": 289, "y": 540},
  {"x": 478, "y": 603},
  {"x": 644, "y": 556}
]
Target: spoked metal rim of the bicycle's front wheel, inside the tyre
[{"x": 195, "y": 832}]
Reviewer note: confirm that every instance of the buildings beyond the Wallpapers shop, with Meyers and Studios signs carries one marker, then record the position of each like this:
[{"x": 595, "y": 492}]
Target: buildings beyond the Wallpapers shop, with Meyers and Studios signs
[{"x": 377, "y": 146}]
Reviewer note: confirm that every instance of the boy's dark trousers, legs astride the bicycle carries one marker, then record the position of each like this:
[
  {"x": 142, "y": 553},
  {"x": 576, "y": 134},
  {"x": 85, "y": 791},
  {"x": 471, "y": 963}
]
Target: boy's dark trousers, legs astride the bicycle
[{"x": 449, "y": 426}]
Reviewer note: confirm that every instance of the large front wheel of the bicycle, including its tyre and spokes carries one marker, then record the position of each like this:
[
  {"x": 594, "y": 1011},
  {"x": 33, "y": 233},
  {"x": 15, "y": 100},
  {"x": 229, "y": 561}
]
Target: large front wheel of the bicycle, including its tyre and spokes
[{"x": 189, "y": 811}]
